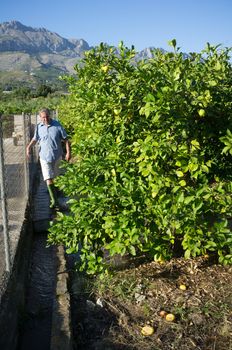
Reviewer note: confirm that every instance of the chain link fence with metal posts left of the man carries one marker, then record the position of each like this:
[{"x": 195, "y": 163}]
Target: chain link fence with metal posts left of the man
[{"x": 16, "y": 179}]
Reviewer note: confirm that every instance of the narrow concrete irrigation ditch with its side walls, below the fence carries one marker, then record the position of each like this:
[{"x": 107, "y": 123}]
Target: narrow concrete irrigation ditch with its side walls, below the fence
[{"x": 35, "y": 306}]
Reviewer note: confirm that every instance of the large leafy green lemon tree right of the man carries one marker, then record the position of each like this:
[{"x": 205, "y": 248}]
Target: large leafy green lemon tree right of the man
[{"x": 148, "y": 172}]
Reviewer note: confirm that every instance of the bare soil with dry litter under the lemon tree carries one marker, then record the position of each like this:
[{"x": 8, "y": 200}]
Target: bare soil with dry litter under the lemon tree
[{"x": 110, "y": 313}]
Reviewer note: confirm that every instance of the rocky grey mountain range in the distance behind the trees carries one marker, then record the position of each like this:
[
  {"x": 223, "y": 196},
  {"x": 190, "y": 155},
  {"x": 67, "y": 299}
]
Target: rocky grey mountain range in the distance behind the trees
[{"x": 29, "y": 54}]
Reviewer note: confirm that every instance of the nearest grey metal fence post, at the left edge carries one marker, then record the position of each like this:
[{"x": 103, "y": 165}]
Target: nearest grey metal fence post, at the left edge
[{"x": 4, "y": 203}]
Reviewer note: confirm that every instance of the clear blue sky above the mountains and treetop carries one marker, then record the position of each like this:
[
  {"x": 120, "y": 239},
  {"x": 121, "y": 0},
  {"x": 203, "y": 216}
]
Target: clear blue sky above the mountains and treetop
[{"x": 141, "y": 23}]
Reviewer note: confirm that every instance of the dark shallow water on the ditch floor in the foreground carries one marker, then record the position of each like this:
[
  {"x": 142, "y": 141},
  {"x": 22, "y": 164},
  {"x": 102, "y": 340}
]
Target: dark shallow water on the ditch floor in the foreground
[{"x": 35, "y": 329}]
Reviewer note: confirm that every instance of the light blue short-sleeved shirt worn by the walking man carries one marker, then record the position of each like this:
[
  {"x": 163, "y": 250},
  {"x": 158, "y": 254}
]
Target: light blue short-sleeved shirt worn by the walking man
[{"x": 49, "y": 138}]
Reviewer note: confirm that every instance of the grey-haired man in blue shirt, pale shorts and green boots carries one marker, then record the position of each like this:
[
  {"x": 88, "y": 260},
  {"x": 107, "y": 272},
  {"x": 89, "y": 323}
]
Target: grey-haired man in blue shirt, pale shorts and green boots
[{"x": 50, "y": 134}]
